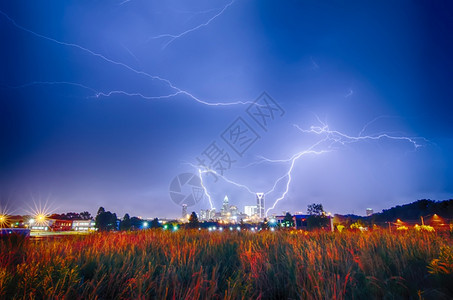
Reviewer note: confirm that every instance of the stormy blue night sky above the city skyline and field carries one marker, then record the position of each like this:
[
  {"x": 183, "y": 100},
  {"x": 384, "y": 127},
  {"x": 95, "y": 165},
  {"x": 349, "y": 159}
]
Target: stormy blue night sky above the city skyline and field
[{"x": 79, "y": 125}]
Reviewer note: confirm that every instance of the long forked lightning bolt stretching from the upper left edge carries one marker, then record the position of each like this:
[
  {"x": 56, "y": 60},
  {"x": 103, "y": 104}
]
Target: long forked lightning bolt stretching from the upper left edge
[{"x": 177, "y": 90}]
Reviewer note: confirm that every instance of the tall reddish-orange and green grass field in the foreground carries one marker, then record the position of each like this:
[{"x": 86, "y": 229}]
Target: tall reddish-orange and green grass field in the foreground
[{"x": 229, "y": 265}]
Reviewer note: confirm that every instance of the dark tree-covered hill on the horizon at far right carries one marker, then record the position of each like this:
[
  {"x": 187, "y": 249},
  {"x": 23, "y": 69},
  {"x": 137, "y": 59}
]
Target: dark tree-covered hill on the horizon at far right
[{"x": 407, "y": 212}]
